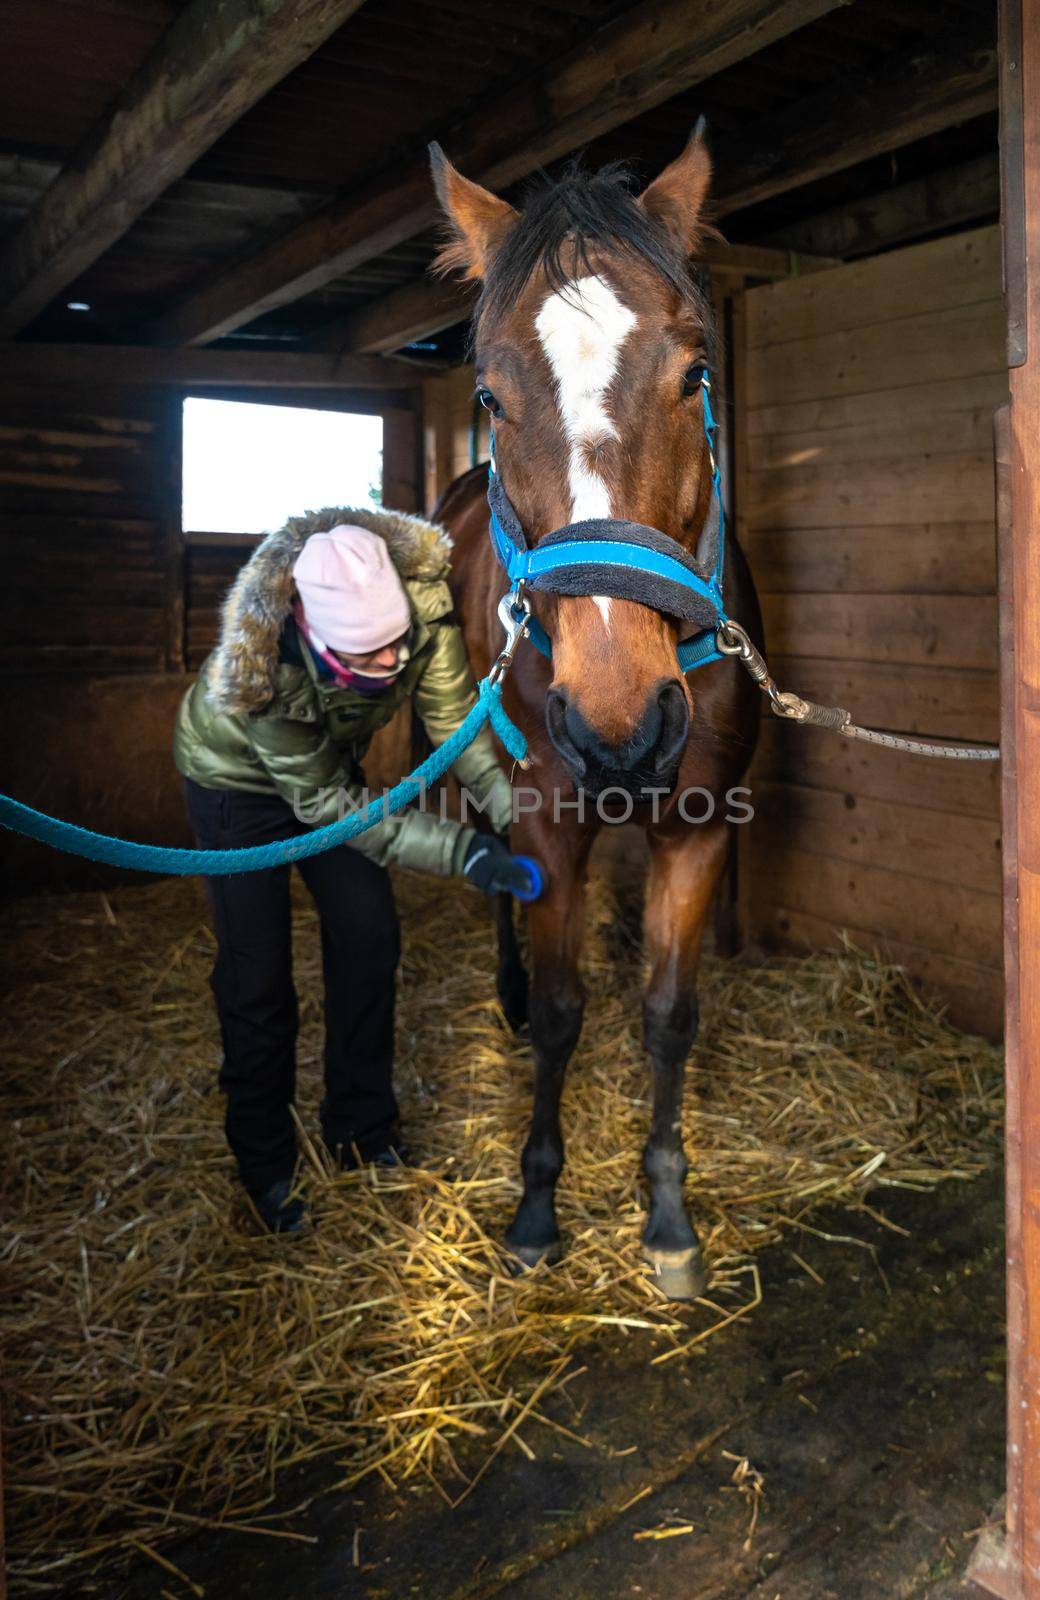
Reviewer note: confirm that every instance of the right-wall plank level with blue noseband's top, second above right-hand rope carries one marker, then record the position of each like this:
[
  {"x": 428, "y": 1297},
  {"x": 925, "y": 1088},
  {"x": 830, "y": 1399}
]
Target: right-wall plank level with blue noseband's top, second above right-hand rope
[{"x": 943, "y": 559}]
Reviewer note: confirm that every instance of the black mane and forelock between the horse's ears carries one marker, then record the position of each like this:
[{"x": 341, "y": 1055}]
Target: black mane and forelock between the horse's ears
[{"x": 562, "y": 218}]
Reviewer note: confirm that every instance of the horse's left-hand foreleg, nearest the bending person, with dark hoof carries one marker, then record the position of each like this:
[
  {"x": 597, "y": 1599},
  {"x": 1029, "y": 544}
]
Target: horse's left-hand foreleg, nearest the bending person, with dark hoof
[{"x": 556, "y": 1010}]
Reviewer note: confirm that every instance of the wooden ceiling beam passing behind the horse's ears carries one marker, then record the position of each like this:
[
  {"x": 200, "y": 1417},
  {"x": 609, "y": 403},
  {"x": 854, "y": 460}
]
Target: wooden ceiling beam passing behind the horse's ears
[{"x": 426, "y": 306}]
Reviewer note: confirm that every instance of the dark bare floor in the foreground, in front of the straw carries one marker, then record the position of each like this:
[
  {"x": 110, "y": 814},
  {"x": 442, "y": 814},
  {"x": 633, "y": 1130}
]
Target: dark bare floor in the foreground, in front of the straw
[{"x": 842, "y": 1444}]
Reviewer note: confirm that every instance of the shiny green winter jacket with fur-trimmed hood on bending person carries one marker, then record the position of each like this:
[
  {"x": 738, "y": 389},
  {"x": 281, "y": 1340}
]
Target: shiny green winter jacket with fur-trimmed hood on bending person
[{"x": 263, "y": 719}]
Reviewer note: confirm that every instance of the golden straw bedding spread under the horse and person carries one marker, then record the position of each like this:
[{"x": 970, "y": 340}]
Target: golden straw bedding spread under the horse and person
[{"x": 166, "y": 1366}]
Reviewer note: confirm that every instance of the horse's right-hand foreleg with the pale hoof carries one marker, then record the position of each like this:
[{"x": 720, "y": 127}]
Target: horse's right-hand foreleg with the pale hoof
[{"x": 684, "y": 873}]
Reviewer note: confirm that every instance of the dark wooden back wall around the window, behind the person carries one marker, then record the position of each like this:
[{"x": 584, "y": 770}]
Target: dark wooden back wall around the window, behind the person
[{"x": 106, "y": 610}]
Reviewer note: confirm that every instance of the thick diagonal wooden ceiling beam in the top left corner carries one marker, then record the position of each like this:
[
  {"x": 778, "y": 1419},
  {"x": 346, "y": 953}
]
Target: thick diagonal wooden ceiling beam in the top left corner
[{"x": 214, "y": 65}]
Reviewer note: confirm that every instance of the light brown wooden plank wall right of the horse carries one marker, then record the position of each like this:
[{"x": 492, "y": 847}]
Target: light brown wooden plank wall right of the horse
[{"x": 866, "y": 505}]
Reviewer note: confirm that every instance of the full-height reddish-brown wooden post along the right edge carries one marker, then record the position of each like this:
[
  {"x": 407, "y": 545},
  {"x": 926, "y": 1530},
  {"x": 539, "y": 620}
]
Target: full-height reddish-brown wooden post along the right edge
[{"x": 1010, "y": 1566}]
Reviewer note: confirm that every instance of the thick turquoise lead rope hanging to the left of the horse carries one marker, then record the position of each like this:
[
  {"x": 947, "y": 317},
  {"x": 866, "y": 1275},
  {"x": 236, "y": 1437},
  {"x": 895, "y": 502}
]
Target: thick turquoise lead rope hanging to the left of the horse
[{"x": 223, "y": 863}]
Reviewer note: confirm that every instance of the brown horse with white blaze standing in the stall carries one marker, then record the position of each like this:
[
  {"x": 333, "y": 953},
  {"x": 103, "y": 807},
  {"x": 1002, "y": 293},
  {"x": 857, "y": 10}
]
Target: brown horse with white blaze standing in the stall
[{"x": 590, "y": 342}]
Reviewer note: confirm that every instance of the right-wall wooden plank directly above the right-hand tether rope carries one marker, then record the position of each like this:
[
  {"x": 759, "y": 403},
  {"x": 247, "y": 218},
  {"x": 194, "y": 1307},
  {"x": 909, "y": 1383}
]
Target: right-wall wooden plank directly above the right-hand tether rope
[{"x": 937, "y": 631}]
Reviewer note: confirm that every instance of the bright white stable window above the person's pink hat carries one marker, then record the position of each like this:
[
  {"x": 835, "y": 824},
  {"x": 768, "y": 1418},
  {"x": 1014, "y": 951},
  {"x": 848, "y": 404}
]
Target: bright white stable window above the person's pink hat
[{"x": 247, "y": 468}]
